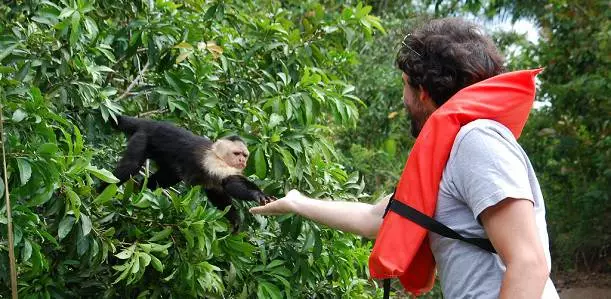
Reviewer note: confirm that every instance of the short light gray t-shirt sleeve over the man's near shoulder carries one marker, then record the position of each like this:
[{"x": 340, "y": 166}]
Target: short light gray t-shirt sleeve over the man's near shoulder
[{"x": 487, "y": 168}]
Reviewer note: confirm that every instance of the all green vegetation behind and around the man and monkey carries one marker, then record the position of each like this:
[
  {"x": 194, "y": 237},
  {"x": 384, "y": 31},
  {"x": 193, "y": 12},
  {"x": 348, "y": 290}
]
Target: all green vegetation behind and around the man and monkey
[{"x": 313, "y": 88}]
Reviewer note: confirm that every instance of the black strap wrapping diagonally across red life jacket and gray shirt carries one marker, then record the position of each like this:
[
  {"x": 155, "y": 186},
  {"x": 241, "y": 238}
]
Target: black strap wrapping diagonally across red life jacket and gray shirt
[{"x": 435, "y": 226}]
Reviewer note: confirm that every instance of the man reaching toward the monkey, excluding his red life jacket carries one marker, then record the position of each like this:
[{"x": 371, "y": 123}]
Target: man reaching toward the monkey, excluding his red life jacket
[{"x": 488, "y": 188}]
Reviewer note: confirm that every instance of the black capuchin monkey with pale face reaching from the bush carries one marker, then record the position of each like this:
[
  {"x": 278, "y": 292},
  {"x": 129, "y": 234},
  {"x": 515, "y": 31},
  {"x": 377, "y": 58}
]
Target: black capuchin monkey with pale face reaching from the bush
[{"x": 182, "y": 156}]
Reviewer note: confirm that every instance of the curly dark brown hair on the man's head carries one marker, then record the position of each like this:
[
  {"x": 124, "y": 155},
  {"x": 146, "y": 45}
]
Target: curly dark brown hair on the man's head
[{"x": 446, "y": 55}]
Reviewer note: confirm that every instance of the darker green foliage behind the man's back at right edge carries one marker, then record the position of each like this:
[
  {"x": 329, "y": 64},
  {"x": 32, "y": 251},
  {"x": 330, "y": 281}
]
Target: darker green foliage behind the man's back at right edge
[{"x": 571, "y": 144}]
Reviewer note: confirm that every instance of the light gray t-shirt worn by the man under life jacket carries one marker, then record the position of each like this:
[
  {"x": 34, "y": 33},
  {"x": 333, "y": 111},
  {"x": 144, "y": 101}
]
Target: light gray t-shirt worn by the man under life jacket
[{"x": 486, "y": 165}]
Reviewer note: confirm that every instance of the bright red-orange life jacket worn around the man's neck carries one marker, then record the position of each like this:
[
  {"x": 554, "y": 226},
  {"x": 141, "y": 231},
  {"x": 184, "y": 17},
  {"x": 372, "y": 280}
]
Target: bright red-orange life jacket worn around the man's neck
[{"x": 402, "y": 248}]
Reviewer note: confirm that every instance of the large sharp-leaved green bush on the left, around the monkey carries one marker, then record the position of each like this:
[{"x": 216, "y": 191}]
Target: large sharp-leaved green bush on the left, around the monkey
[{"x": 276, "y": 73}]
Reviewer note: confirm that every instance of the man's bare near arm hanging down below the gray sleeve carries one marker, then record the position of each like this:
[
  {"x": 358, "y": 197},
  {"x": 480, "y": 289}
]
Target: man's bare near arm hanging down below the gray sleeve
[{"x": 511, "y": 227}]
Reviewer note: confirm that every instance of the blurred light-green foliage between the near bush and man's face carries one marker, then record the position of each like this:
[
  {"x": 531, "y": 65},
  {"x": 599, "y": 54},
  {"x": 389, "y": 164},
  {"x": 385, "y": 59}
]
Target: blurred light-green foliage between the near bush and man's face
[{"x": 379, "y": 151}]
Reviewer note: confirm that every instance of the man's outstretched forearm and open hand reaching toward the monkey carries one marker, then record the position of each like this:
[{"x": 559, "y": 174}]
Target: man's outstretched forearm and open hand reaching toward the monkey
[{"x": 354, "y": 217}]
